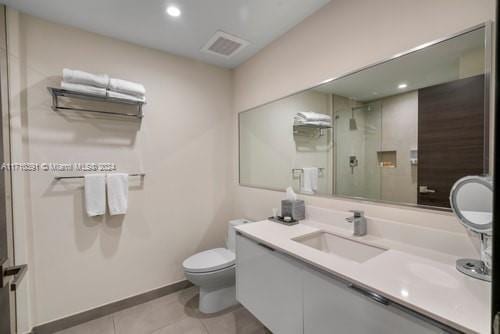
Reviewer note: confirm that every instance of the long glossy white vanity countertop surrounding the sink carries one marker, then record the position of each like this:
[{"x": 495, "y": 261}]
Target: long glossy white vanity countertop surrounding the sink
[{"x": 422, "y": 280}]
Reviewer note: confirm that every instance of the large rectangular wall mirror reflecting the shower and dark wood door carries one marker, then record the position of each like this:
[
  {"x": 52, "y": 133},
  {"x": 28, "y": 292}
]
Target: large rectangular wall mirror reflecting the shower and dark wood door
[{"x": 401, "y": 131}]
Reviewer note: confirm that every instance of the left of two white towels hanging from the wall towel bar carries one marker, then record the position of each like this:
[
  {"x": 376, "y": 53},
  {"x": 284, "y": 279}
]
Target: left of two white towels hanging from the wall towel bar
[{"x": 95, "y": 194}]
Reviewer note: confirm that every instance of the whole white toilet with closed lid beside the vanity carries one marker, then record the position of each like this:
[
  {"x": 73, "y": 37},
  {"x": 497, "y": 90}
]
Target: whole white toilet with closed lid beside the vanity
[{"x": 214, "y": 272}]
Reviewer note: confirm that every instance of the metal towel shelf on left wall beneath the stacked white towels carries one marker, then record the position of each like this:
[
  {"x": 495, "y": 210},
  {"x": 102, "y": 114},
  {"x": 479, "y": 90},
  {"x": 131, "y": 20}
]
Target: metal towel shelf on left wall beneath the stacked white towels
[{"x": 59, "y": 92}]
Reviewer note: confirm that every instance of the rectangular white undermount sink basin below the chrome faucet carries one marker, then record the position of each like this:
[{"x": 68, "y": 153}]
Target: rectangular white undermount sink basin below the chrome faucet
[{"x": 340, "y": 246}]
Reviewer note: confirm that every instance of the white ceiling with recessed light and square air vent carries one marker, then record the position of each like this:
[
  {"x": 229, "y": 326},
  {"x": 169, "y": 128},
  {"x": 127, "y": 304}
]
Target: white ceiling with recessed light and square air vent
[{"x": 146, "y": 23}]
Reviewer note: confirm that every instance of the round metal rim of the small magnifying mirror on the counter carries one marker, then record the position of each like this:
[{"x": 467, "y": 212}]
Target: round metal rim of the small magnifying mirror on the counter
[{"x": 483, "y": 180}]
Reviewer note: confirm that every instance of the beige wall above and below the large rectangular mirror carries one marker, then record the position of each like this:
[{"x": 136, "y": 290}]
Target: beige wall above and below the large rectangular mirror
[{"x": 344, "y": 36}]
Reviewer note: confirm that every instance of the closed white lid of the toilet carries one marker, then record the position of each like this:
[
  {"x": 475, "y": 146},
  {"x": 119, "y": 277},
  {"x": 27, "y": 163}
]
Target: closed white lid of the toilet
[{"x": 210, "y": 260}]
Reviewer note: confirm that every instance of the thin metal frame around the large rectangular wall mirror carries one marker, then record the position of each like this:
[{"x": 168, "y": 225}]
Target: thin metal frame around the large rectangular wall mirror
[{"x": 488, "y": 57}]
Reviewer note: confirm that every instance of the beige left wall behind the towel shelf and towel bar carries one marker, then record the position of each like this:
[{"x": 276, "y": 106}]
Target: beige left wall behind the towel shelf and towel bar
[{"x": 183, "y": 144}]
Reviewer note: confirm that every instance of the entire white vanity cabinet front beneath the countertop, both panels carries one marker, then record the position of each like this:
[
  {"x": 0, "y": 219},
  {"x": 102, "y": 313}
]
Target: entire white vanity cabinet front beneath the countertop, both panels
[{"x": 290, "y": 297}]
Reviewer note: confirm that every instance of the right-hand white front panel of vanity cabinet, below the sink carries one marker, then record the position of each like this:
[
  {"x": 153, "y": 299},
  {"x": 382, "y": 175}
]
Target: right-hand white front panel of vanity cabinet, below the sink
[{"x": 331, "y": 306}]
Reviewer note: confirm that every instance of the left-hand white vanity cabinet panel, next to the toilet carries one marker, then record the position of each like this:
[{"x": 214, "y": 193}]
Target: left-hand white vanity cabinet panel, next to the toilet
[{"x": 269, "y": 285}]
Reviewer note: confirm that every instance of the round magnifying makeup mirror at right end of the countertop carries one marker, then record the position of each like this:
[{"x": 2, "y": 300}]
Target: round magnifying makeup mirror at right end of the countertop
[{"x": 471, "y": 199}]
